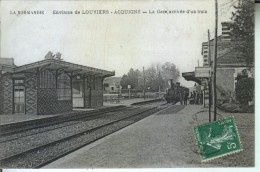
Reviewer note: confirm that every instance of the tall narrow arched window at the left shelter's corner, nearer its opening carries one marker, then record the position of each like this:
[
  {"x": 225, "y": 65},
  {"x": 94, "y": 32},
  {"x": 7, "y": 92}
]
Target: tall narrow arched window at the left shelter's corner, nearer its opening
[{"x": 64, "y": 87}]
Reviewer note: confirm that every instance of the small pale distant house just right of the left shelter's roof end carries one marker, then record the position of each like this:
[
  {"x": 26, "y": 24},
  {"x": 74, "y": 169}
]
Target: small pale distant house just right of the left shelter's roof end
[{"x": 112, "y": 85}]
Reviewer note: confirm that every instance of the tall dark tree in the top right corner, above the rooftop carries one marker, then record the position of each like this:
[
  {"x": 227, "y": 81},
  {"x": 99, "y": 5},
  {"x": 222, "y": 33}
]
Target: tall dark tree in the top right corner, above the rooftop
[{"x": 243, "y": 28}]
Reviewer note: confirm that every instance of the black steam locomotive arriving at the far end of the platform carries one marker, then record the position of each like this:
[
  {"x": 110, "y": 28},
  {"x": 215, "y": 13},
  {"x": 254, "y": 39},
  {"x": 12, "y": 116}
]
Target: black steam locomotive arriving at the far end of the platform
[{"x": 176, "y": 93}]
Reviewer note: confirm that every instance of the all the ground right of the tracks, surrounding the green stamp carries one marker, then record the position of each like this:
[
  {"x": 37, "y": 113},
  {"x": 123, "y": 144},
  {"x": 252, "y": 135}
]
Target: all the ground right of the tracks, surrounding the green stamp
[{"x": 165, "y": 139}]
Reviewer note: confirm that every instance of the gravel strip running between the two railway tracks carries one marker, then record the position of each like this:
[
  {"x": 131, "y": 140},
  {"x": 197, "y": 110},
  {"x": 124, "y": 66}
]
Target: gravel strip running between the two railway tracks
[{"x": 33, "y": 138}]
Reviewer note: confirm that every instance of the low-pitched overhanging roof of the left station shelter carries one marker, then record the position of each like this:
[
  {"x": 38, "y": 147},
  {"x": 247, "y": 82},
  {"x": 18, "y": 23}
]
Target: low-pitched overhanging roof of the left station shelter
[{"x": 54, "y": 64}]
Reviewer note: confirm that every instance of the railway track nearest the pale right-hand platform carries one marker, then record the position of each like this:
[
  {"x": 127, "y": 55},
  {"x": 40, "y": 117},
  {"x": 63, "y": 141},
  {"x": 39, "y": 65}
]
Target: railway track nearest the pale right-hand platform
[{"x": 40, "y": 155}]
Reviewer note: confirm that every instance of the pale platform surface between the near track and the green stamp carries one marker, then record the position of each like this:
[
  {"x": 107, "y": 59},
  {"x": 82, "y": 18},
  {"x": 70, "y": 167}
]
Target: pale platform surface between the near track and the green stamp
[{"x": 156, "y": 141}]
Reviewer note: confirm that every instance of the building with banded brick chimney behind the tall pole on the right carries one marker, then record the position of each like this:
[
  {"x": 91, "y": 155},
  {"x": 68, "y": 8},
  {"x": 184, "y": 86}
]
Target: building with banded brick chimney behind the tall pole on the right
[{"x": 231, "y": 61}]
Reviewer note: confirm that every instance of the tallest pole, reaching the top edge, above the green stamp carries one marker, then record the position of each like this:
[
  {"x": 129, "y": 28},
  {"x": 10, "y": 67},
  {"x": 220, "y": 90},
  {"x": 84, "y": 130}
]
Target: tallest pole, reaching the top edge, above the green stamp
[{"x": 215, "y": 62}]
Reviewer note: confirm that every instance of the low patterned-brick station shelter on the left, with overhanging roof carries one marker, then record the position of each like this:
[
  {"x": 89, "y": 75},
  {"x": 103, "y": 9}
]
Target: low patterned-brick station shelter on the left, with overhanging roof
[{"x": 49, "y": 86}]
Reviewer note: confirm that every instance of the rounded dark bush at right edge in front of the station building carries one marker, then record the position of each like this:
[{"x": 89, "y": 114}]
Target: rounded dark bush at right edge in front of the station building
[{"x": 245, "y": 90}]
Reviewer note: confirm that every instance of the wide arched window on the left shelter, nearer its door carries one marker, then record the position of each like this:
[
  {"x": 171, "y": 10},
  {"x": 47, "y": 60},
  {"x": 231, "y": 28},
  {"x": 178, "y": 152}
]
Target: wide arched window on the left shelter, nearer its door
[{"x": 47, "y": 80}]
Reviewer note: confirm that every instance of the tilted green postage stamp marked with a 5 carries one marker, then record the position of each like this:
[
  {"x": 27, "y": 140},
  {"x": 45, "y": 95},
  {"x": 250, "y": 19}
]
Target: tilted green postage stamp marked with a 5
[{"x": 218, "y": 138}]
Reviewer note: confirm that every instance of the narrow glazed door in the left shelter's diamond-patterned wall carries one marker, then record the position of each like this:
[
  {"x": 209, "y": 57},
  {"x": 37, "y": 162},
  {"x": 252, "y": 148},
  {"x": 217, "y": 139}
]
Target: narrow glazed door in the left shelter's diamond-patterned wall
[{"x": 19, "y": 99}]
